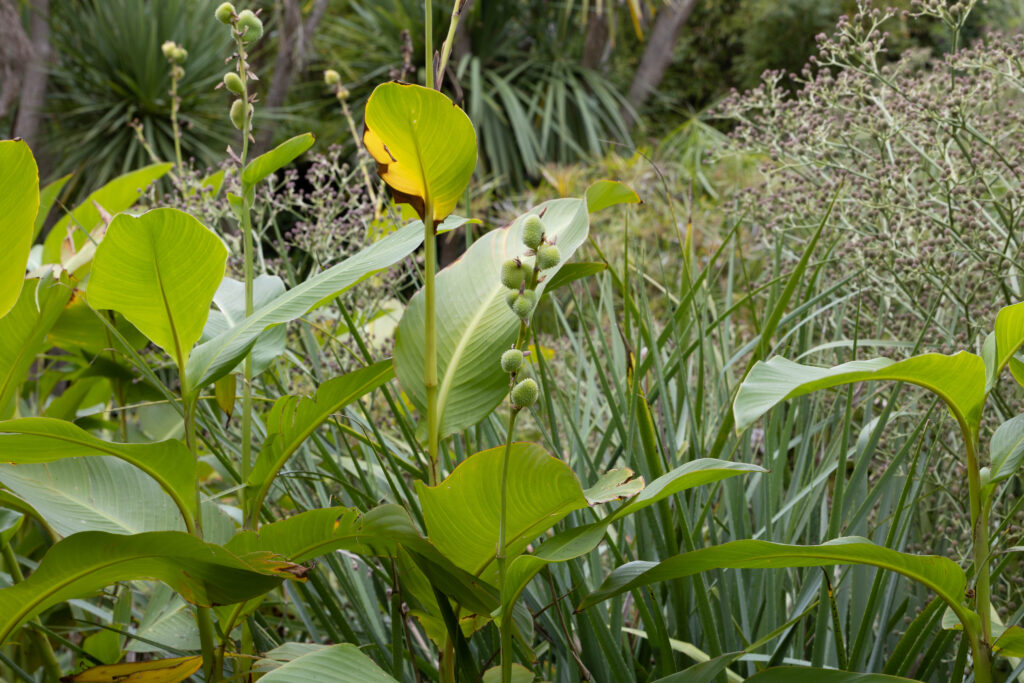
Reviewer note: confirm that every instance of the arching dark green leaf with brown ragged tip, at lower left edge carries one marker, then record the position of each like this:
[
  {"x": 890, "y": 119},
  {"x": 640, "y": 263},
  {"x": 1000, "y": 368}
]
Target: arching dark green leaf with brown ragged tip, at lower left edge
[{"x": 202, "y": 573}]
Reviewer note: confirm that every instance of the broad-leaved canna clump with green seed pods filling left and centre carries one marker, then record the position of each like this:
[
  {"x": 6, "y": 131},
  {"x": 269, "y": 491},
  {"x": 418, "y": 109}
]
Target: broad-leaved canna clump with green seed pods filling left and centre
[{"x": 106, "y": 283}]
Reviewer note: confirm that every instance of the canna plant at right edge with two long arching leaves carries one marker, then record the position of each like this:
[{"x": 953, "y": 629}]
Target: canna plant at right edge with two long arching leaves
[{"x": 963, "y": 382}]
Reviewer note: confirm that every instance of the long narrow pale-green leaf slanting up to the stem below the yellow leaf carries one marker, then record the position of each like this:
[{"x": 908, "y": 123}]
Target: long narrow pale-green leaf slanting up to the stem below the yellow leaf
[{"x": 214, "y": 360}]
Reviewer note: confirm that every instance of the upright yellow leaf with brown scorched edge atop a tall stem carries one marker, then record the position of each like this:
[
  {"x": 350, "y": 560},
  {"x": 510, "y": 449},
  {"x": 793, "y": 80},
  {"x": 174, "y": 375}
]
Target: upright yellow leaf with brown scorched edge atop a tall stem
[{"x": 425, "y": 147}]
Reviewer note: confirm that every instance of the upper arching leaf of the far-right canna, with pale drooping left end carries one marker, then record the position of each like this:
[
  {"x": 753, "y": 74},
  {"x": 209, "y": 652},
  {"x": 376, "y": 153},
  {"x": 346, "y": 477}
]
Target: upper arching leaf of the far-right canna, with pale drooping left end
[{"x": 959, "y": 380}]
